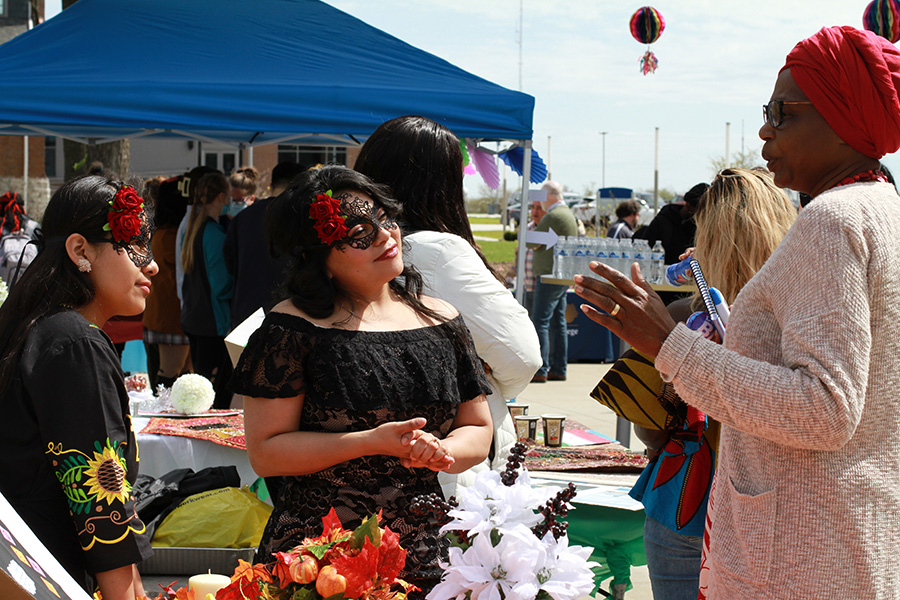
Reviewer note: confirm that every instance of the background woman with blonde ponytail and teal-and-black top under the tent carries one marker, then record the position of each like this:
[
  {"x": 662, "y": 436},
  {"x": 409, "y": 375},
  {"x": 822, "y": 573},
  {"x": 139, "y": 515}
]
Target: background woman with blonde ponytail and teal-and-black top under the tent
[{"x": 208, "y": 287}]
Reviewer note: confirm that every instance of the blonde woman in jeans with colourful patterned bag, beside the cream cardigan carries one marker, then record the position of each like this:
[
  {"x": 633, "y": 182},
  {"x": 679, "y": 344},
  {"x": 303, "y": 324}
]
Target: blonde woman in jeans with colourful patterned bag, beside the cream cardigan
[{"x": 741, "y": 219}]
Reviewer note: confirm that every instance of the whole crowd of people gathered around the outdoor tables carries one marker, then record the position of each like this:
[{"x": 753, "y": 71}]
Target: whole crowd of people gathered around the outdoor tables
[{"x": 391, "y": 345}]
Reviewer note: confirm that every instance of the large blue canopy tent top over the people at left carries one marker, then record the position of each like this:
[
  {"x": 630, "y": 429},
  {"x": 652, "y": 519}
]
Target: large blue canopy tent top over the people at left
[{"x": 243, "y": 73}]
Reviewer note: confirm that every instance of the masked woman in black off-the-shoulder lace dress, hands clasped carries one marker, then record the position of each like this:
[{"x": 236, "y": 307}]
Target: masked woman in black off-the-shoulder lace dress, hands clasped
[{"x": 358, "y": 390}]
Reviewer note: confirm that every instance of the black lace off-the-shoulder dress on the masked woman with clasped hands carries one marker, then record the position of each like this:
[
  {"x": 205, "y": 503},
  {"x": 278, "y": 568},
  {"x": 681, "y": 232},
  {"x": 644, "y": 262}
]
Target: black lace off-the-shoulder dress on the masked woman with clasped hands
[{"x": 352, "y": 381}]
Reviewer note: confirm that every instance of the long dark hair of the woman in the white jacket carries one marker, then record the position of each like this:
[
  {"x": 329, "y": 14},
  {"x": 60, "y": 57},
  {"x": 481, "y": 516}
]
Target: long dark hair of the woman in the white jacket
[{"x": 422, "y": 163}]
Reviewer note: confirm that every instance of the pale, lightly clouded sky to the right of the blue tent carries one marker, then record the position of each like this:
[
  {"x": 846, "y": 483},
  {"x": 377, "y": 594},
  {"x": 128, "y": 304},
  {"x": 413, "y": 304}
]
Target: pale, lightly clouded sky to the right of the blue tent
[{"x": 718, "y": 60}]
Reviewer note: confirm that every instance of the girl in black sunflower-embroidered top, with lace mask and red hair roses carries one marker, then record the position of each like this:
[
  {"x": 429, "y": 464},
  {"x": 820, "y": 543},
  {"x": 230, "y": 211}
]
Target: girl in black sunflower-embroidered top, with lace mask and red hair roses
[{"x": 68, "y": 458}]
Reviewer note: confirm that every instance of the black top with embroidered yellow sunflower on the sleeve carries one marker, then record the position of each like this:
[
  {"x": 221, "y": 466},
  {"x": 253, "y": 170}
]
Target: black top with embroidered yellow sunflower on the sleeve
[{"x": 68, "y": 456}]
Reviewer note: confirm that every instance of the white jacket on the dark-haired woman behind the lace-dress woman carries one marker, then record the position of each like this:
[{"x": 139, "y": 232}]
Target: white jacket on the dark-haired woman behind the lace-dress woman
[{"x": 503, "y": 333}]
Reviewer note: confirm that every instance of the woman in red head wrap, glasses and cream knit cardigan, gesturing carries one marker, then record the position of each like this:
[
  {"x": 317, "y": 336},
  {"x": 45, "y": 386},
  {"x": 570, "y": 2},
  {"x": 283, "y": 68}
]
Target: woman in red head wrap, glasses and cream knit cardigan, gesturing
[{"x": 807, "y": 495}]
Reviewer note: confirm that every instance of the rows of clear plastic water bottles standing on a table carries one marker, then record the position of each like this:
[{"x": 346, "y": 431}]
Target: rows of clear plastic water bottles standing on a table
[{"x": 572, "y": 255}]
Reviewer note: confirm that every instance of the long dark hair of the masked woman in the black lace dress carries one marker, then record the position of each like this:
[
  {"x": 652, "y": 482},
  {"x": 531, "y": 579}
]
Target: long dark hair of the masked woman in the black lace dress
[{"x": 291, "y": 232}]
